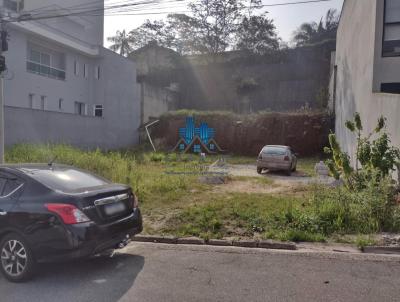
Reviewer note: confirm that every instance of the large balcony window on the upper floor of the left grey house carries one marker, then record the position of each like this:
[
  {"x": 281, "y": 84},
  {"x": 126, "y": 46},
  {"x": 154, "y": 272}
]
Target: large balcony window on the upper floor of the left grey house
[{"x": 46, "y": 62}]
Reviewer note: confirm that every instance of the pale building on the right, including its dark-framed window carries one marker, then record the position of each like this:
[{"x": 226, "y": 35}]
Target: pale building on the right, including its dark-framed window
[{"x": 368, "y": 67}]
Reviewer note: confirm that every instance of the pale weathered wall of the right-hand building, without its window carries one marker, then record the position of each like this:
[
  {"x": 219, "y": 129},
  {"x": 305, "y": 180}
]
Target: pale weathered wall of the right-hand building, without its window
[{"x": 355, "y": 57}]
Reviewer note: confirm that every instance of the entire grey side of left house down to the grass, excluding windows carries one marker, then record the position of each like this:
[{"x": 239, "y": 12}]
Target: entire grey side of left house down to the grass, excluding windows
[{"x": 115, "y": 90}]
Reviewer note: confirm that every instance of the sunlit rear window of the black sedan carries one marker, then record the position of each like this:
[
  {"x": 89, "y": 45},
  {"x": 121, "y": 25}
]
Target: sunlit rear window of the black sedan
[{"x": 65, "y": 179}]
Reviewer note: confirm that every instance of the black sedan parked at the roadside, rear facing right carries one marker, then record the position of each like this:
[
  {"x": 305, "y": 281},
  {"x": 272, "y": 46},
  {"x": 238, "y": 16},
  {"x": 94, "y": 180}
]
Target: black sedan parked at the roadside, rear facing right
[{"x": 55, "y": 213}]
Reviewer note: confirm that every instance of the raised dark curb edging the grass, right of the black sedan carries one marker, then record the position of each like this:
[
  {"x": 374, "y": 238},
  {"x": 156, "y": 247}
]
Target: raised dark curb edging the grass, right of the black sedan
[{"x": 264, "y": 244}]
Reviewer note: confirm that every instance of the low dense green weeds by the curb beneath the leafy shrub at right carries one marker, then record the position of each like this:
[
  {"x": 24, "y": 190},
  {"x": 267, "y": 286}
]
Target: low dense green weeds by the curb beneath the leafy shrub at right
[{"x": 339, "y": 210}]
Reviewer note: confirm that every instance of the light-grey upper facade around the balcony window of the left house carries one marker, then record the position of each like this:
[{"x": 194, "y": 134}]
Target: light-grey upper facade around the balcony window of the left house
[{"x": 20, "y": 83}]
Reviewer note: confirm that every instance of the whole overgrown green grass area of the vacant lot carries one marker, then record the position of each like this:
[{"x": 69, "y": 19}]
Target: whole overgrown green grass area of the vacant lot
[{"x": 189, "y": 208}]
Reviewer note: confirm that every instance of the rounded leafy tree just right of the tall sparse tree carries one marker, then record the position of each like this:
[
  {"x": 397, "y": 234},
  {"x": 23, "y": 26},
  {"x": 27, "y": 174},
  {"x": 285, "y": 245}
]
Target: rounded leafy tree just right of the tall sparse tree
[{"x": 257, "y": 34}]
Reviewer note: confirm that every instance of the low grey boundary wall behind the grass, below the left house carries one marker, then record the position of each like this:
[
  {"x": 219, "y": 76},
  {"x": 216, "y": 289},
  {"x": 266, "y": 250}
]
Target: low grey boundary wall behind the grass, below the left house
[{"x": 36, "y": 126}]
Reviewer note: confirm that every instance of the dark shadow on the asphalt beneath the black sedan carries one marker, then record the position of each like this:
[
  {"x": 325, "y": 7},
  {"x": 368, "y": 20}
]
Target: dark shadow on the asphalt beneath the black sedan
[{"x": 96, "y": 279}]
